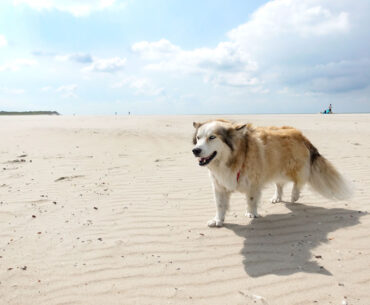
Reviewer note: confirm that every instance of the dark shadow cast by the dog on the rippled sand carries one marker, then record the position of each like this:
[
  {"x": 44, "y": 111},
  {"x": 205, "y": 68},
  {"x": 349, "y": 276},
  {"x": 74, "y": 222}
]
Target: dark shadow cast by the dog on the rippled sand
[{"x": 281, "y": 244}]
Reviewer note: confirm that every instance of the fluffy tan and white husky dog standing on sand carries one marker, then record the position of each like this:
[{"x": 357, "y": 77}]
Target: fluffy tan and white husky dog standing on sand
[{"x": 244, "y": 158}]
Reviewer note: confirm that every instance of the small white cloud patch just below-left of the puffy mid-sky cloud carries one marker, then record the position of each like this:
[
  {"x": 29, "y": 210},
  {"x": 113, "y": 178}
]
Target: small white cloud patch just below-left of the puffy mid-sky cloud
[{"x": 141, "y": 86}]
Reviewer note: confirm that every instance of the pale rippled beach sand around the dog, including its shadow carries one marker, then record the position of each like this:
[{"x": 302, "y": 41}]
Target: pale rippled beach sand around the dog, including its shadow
[{"x": 113, "y": 210}]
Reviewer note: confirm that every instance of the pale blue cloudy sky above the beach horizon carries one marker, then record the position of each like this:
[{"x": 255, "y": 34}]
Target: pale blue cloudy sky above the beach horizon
[{"x": 184, "y": 57}]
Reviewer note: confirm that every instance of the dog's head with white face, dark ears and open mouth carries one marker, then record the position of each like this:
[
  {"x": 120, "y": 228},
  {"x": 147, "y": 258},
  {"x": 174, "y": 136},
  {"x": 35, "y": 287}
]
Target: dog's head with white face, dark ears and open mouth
[{"x": 214, "y": 141}]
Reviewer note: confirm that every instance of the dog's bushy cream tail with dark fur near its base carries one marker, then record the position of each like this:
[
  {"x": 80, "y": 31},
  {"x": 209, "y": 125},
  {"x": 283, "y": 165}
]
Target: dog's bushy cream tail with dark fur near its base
[{"x": 325, "y": 179}]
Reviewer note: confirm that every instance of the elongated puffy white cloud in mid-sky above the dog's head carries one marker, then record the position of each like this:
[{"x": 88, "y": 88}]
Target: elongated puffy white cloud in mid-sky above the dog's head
[{"x": 224, "y": 64}]
